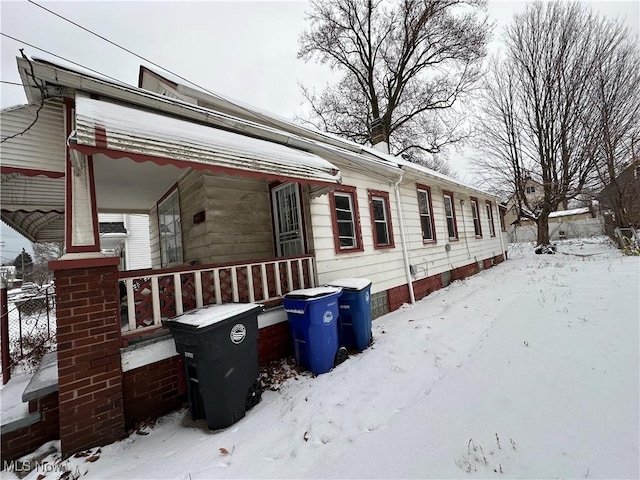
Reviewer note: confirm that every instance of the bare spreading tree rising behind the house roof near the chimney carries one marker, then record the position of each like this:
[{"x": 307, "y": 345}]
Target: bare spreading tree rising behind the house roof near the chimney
[{"x": 406, "y": 65}]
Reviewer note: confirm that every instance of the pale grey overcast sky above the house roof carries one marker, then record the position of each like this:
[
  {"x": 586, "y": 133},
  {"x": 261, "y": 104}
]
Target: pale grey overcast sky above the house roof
[{"x": 245, "y": 50}]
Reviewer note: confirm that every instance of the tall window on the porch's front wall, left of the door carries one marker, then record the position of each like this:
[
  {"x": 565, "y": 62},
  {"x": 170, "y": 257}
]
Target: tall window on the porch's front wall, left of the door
[{"x": 169, "y": 227}]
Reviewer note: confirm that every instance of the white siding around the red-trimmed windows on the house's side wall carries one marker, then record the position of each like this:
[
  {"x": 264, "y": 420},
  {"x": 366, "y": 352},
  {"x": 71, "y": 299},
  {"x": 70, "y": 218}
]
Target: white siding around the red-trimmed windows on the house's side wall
[{"x": 385, "y": 267}]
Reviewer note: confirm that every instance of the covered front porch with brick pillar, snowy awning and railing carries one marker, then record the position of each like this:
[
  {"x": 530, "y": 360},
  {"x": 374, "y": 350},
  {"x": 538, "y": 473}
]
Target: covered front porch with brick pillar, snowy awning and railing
[{"x": 98, "y": 155}]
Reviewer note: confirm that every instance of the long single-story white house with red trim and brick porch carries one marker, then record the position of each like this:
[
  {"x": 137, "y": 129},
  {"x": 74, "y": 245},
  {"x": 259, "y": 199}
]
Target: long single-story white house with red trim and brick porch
[{"x": 243, "y": 206}]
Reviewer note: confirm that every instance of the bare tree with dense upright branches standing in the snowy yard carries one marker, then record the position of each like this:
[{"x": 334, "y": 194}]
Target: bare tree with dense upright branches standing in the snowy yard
[{"x": 538, "y": 103}]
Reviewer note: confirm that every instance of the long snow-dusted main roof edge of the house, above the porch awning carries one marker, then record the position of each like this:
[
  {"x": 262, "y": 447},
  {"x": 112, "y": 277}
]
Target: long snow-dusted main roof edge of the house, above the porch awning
[{"x": 268, "y": 127}]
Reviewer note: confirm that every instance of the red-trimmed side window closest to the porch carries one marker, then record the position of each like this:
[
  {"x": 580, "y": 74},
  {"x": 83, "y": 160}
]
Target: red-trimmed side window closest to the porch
[{"x": 345, "y": 220}]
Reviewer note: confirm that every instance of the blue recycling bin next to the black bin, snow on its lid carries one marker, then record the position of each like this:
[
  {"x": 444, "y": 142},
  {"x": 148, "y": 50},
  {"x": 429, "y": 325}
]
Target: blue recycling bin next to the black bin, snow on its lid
[{"x": 313, "y": 319}]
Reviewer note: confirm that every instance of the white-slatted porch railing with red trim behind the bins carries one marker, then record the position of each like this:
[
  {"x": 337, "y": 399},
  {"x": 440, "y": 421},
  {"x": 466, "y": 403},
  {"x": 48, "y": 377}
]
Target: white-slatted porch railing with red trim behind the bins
[{"x": 149, "y": 296}]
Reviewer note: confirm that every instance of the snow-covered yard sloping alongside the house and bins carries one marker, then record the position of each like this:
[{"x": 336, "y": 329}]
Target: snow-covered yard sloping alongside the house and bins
[{"x": 526, "y": 370}]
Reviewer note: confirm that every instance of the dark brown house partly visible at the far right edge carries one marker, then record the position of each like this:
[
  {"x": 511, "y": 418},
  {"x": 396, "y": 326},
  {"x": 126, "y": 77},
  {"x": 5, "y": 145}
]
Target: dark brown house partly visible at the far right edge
[{"x": 622, "y": 197}]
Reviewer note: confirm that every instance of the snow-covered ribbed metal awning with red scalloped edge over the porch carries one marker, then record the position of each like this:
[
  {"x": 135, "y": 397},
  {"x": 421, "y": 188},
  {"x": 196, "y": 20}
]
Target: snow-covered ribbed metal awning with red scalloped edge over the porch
[{"x": 120, "y": 131}]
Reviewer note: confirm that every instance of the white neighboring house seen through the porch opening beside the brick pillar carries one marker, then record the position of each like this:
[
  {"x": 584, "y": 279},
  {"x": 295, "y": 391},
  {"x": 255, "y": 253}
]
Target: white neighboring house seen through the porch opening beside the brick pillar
[{"x": 126, "y": 236}]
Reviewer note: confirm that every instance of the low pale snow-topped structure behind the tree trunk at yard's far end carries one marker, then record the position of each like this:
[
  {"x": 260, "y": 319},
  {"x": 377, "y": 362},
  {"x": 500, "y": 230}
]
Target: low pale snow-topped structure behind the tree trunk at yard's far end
[{"x": 563, "y": 224}]
